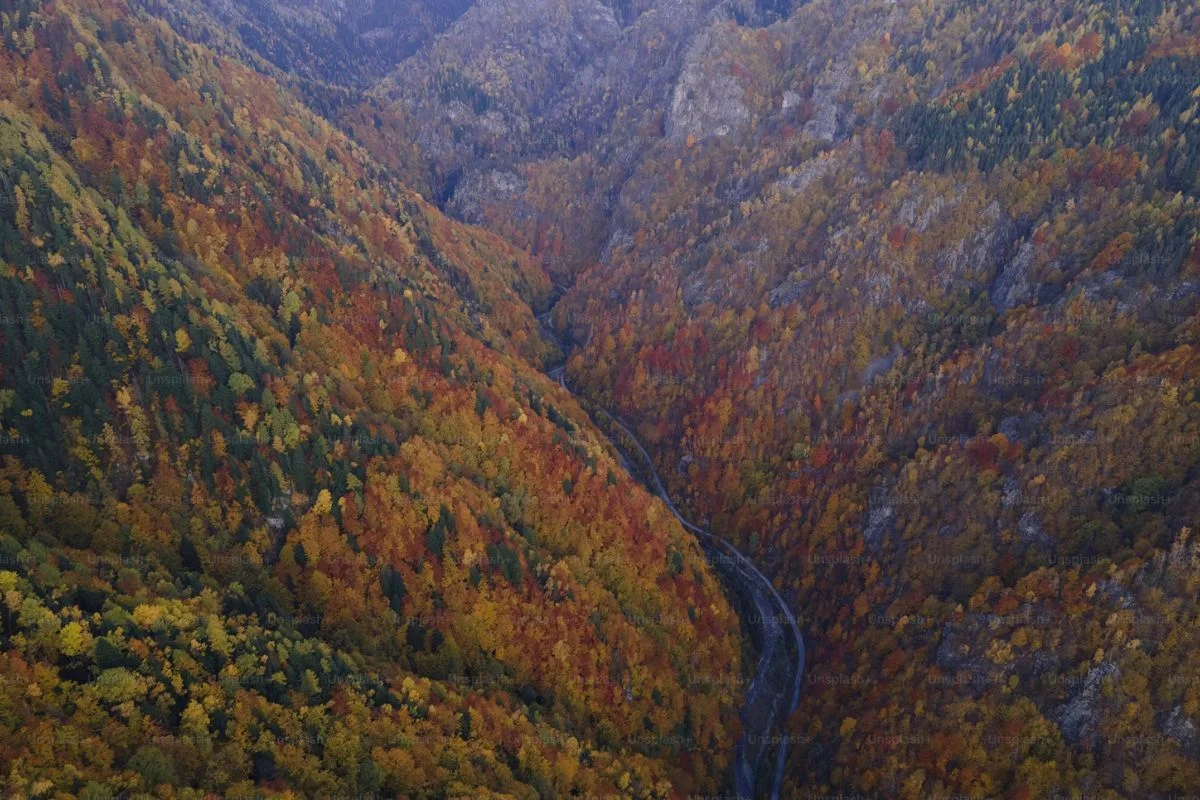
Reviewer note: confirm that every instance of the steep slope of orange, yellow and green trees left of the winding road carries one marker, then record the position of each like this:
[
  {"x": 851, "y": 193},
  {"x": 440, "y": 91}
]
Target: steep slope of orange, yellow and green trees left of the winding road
[{"x": 287, "y": 508}]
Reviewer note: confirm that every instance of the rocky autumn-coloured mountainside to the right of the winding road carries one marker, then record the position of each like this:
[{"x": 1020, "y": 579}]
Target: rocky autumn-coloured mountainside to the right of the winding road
[{"x": 904, "y": 296}]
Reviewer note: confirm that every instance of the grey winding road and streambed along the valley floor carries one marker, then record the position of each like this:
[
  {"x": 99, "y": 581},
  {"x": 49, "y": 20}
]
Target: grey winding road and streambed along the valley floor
[{"x": 776, "y": 690}]
